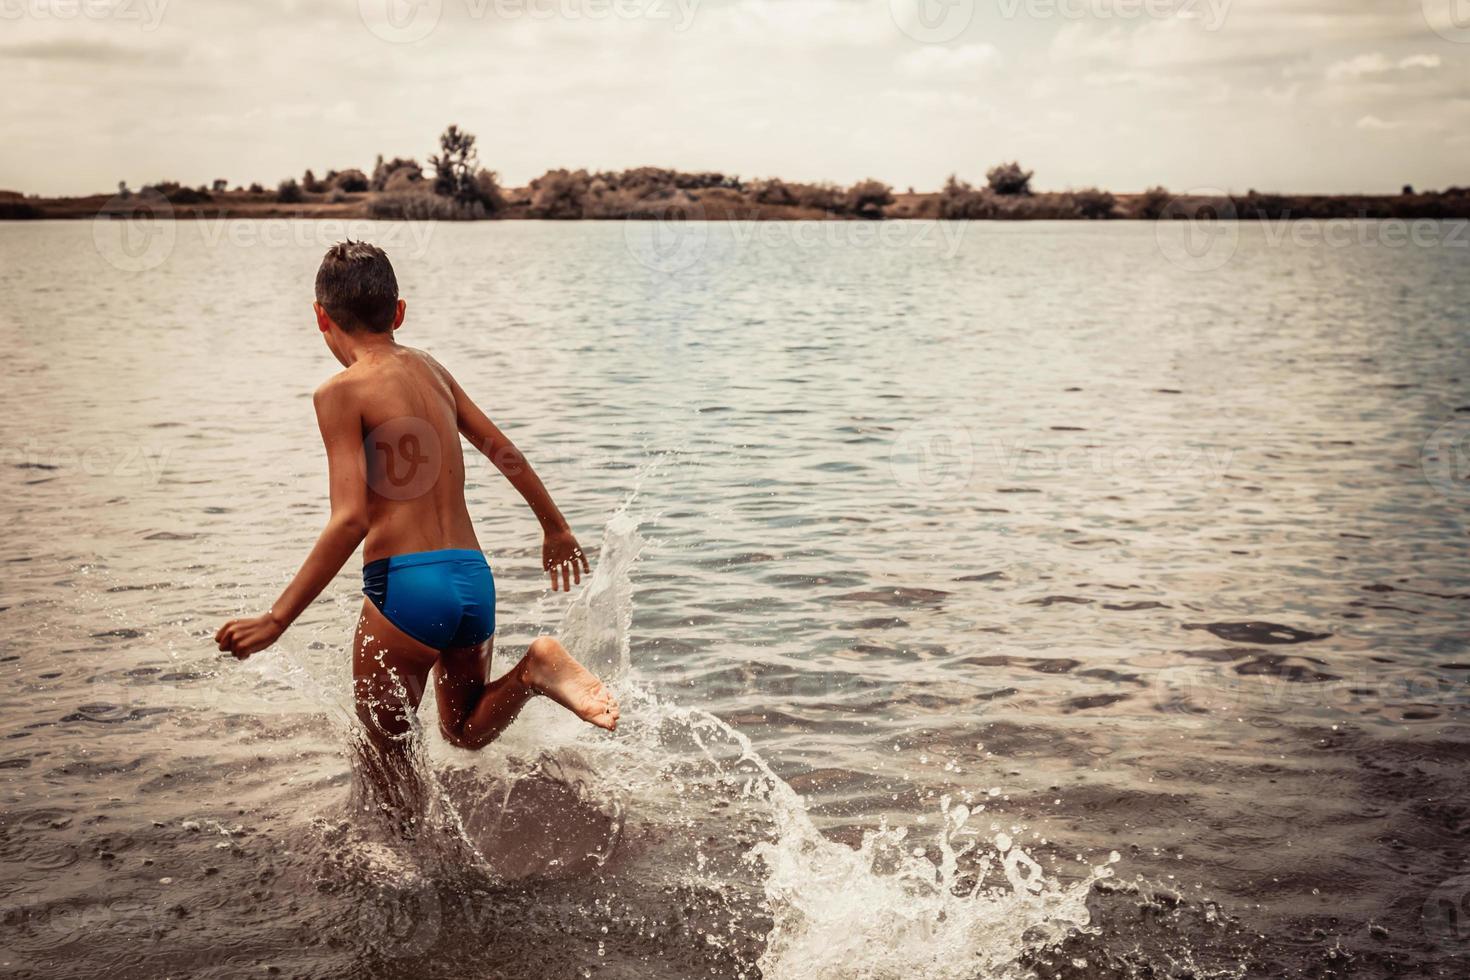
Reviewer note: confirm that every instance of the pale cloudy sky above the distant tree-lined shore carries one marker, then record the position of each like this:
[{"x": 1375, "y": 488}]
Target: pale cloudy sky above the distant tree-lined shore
[{"x": 1291, "y": 96}]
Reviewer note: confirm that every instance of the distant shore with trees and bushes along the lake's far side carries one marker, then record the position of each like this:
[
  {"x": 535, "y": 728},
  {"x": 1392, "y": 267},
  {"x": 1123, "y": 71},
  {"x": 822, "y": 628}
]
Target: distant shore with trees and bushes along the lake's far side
[{"x": 453, "y": 186}]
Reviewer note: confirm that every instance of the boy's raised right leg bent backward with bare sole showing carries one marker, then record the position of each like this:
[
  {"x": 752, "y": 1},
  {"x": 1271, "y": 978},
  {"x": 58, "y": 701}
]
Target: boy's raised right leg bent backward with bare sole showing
[{"x": 473, "y": 712}]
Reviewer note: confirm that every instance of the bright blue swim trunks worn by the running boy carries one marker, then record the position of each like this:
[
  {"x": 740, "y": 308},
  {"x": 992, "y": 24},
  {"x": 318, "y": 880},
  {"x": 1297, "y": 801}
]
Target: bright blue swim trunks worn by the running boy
[{"x": 442, "y": 599}]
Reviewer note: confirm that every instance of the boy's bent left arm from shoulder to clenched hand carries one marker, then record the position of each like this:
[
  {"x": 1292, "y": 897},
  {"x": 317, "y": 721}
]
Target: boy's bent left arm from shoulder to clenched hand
[{"x": 342, "y": 431}]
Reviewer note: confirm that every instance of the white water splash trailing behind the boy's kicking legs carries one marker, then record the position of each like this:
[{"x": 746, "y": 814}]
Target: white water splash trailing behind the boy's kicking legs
[{"x": 822, "y": 909}]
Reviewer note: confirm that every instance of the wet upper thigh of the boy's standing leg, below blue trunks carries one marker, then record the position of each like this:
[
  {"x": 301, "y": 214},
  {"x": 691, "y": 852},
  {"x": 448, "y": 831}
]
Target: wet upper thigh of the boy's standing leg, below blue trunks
[{"x": 390, "y": 671}]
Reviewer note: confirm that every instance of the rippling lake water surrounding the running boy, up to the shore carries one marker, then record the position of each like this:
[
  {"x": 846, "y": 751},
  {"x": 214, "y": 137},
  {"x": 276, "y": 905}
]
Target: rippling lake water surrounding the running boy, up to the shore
[{"x": 987, "y": 602}]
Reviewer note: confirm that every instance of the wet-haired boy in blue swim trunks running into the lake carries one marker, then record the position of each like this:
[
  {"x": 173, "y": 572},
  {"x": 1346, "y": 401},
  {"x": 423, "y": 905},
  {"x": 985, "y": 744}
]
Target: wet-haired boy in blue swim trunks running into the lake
[{"x": 392, "y": 424}]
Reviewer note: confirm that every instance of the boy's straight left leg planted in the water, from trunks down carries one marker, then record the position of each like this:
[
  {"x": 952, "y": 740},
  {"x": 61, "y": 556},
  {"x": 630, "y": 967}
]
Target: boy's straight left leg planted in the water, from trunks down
[{"x": 390, "y": 671}]
